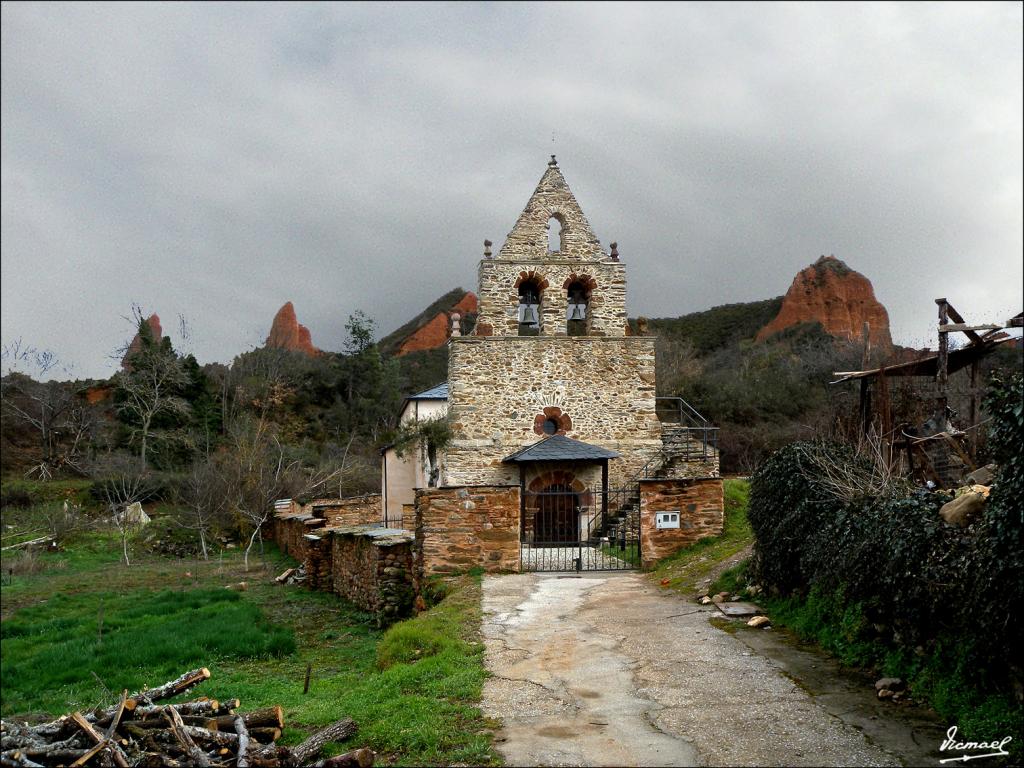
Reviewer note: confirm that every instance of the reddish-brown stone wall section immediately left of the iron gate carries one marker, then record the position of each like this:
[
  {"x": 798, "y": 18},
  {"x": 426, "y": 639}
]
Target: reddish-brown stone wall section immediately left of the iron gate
[{"x": 458, "y": 529}]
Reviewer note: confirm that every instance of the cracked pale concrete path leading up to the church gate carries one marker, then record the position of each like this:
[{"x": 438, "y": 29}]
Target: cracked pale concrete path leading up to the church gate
[{"x": 609, "y": 670}]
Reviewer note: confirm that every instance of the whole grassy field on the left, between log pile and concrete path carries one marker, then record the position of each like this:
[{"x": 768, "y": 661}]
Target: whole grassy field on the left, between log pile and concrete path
[{"x": 84, "y": 626}]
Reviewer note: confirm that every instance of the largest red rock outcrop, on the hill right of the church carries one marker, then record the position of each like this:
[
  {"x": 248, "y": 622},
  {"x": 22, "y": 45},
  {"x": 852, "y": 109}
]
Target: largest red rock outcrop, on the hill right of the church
[{"x": 841, "y": 300}]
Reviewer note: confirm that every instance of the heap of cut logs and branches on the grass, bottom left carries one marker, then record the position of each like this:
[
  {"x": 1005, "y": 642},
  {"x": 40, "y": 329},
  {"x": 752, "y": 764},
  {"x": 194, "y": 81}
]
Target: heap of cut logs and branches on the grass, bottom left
[{"x": 204, "y": 733}]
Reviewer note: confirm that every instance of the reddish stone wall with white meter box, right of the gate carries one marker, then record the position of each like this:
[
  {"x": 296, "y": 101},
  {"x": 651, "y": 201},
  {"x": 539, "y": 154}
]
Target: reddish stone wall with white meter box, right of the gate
[{"x": 702, "y": 508}]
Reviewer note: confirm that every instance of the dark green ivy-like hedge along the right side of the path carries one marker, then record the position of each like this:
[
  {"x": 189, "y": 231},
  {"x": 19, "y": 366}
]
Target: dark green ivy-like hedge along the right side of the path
[{"x": 884, "y": 567}]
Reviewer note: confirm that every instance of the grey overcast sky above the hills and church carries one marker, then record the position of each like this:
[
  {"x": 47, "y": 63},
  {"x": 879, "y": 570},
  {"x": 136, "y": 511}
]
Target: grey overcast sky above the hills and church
[{"x": 216, "y": 161}]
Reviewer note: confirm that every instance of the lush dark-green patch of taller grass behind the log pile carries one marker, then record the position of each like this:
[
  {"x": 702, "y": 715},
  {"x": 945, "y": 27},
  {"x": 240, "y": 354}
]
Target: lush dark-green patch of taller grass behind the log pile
[{"x": 52, "y": 651}]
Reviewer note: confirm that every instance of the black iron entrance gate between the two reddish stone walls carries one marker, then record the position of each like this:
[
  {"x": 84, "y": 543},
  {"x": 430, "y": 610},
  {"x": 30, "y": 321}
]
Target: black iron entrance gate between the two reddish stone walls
[{"x": 567, "y": 529}]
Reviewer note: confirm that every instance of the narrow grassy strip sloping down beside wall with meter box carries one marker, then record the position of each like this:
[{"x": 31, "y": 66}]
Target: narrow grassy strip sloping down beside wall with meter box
[{"x": 686, "y": 569}]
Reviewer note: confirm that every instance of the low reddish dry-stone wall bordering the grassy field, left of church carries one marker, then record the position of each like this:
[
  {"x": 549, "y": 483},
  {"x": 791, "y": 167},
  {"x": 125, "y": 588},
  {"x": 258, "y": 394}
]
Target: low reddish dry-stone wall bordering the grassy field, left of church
[{"x": 370, "y": 567}]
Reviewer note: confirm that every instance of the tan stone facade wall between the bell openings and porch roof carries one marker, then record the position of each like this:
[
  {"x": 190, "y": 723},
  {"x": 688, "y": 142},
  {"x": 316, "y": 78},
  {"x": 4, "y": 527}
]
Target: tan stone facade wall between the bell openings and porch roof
[{"x": 499, "y": 387}]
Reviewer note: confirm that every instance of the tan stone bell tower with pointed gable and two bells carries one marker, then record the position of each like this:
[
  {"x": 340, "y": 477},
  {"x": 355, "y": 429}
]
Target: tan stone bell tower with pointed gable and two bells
[{"x": 551, "y": 354}]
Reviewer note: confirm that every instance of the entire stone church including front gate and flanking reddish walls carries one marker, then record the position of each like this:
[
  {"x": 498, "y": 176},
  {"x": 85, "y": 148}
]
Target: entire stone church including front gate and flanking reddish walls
[{"x": 562, "y": 454}]
